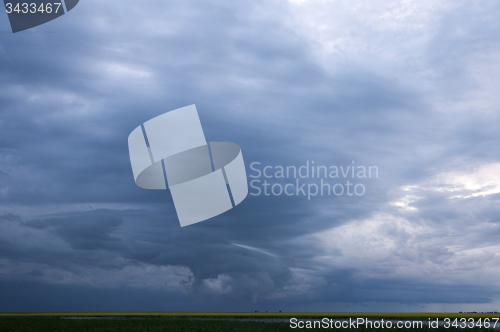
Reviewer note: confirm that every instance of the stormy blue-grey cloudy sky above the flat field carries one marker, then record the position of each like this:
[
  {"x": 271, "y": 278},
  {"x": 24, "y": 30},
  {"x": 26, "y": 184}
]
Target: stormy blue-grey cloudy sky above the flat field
[{"x": 411, "y": 87}]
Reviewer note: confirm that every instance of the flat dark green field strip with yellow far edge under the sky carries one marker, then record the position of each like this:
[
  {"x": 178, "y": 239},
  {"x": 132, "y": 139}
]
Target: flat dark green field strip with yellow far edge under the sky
[{"x": 159, "y": 321}]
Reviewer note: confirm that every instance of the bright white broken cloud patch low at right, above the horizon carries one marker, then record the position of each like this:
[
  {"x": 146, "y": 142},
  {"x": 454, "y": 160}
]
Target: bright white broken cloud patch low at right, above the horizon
[{"x": 389, "y": 245}]
